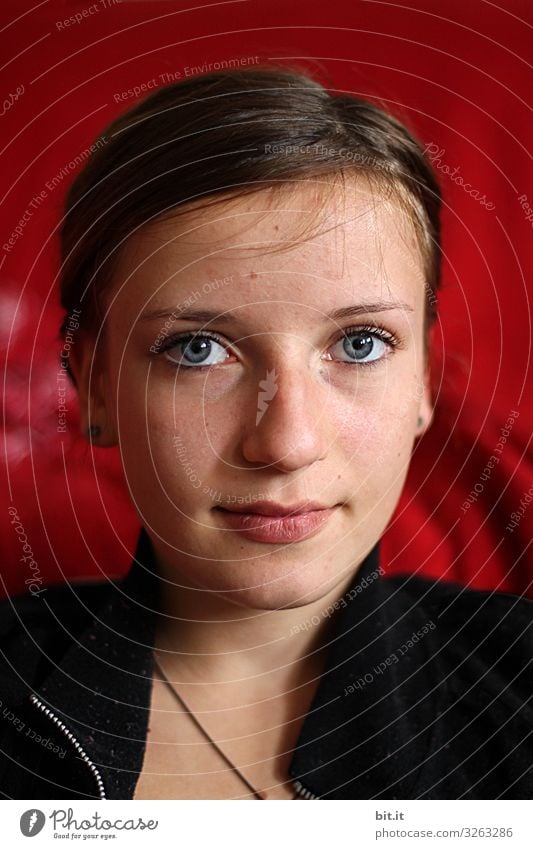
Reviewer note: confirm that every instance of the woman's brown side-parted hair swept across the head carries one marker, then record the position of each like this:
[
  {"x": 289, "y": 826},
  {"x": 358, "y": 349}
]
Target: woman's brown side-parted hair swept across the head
[{"x": 228, "y": 134}]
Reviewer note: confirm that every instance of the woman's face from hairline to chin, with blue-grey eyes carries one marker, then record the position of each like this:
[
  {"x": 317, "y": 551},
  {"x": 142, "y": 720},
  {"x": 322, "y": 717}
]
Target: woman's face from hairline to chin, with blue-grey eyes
[{"x": 298, "y": 392}]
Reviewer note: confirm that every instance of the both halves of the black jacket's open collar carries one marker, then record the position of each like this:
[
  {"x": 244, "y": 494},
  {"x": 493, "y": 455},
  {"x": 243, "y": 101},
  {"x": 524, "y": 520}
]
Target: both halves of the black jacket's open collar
[{"x": 368, "y": 723}]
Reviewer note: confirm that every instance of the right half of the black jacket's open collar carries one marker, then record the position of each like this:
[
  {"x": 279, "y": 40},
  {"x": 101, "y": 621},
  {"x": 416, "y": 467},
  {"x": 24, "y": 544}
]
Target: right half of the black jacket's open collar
[{"x": 373, "y": 722}]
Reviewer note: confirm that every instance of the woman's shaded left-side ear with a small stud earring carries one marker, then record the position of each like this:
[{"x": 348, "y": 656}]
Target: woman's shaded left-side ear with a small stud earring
[{"x": 88, "y": 372}]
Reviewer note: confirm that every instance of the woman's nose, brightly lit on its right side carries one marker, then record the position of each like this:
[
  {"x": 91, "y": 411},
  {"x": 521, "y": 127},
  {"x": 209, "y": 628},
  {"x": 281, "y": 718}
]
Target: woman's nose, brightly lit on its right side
[{"x": 286, "y": 424}]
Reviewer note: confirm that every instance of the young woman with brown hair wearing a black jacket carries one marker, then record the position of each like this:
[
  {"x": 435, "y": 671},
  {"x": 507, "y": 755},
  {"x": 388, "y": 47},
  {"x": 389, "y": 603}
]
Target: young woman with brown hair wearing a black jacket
[{"x": 253, "y": 263}]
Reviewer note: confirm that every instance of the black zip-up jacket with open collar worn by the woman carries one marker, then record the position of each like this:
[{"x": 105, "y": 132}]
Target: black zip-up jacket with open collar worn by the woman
[{"x": 427, "y": 691}]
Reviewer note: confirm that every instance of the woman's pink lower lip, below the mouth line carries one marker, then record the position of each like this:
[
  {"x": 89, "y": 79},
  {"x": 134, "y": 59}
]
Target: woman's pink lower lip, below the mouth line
[{"x": 276, "y": 528}]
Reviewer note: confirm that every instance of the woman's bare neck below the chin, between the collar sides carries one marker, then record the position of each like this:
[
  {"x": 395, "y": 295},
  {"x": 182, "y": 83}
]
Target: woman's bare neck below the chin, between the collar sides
[{"x": 204, "y": 638}]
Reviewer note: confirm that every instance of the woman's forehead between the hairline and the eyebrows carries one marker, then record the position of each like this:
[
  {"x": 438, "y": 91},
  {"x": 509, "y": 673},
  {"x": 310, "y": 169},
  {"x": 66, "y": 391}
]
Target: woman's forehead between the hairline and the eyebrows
[{"x": 310, "y": 243}]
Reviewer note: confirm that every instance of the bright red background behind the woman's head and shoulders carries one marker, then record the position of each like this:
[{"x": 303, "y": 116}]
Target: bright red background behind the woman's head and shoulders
[{"x": 457, "y": 74}]
